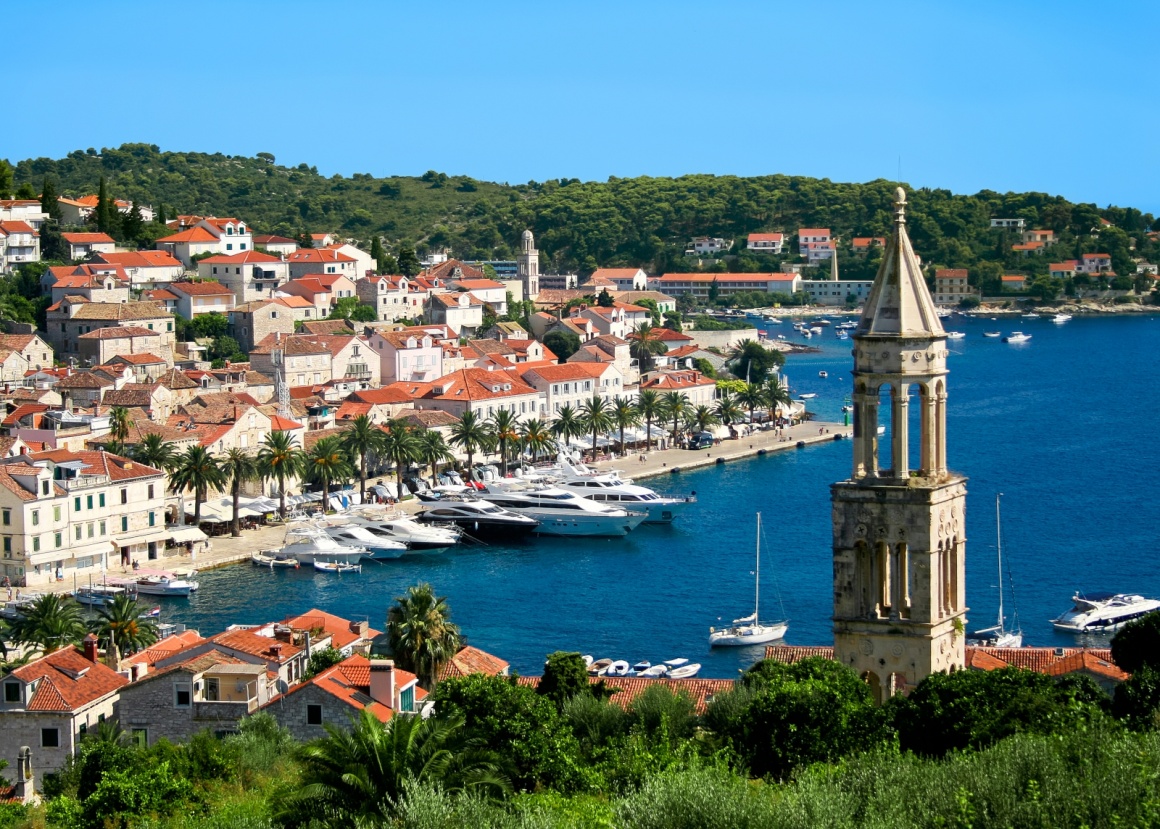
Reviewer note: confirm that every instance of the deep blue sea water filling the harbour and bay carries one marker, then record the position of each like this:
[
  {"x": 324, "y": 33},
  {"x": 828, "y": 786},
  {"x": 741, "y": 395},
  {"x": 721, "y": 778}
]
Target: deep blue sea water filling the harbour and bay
[{"x": 1063, "y": 426}]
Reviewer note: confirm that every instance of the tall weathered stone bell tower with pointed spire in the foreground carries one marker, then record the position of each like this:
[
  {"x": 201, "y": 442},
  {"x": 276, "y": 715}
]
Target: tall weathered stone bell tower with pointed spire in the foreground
[{"x": 900, "y": 562}]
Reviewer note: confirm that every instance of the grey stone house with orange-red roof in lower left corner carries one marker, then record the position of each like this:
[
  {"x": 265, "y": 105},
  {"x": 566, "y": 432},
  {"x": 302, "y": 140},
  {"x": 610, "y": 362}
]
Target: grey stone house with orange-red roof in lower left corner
[{"x": 53, "y": 702}]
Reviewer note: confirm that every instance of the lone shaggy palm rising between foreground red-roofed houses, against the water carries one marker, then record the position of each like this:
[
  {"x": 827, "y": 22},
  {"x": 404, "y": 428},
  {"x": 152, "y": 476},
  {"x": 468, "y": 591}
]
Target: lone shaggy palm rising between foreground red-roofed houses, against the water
[{"x": 422, "y": 635}]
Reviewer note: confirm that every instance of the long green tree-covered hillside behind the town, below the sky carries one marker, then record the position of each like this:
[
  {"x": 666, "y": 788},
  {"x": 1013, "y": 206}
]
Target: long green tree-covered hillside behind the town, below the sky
[{"x": 583, "y": 226}]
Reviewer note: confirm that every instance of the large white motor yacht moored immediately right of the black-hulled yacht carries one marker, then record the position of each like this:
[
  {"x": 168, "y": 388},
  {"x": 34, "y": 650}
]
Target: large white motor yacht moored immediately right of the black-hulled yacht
[{"x": 562, "y": 512}]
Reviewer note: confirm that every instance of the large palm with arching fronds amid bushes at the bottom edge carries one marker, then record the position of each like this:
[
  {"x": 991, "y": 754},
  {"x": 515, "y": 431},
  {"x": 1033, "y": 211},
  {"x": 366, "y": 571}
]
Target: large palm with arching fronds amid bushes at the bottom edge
[{"x": 356, "y": 777}]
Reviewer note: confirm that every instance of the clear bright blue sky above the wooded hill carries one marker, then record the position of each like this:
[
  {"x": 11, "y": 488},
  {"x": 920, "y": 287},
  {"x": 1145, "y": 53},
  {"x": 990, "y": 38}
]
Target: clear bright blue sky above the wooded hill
[{"x": 1055, "y": 97}]
